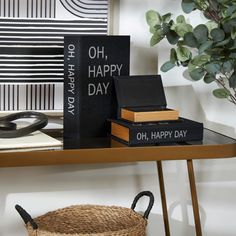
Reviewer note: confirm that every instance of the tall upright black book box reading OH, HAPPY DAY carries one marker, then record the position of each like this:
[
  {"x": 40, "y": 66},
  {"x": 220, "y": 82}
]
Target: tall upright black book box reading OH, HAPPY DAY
[{"x": 90, "y": 62}]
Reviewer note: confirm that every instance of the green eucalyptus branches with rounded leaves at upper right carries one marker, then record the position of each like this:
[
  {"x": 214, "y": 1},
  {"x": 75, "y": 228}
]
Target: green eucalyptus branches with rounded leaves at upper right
[{"x": 207, "y": 50}]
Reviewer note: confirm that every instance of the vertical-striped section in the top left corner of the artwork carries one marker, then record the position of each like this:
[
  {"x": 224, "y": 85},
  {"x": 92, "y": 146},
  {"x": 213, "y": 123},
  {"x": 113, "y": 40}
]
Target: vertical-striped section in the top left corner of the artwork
[{"x": 28, "y": 8}]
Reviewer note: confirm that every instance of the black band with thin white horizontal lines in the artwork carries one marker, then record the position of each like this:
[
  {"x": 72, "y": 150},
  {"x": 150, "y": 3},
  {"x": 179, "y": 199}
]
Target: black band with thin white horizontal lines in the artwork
[{"x": 31, "y": 64}]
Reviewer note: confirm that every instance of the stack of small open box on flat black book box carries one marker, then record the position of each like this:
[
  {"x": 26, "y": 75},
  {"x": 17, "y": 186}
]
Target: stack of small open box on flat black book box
[{"x": 144, "y": 118}]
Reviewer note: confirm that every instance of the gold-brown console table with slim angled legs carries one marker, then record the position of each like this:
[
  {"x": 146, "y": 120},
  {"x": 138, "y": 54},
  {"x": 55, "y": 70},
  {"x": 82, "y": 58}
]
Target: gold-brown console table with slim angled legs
[{"x": 214, "y": 145}]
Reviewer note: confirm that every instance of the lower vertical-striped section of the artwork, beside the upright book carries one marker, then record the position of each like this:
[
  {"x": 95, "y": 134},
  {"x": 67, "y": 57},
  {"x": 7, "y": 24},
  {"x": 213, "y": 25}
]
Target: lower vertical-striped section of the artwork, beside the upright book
[{"x": 43, "y": 96}]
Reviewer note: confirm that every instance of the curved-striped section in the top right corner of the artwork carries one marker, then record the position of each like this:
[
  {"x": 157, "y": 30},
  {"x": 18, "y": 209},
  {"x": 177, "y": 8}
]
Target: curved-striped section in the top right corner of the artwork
[{"x": 86, "y": 8}]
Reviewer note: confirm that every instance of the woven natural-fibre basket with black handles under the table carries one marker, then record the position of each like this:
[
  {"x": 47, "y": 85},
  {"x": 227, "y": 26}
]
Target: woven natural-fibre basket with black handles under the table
[{"x": 90, "y": 220}]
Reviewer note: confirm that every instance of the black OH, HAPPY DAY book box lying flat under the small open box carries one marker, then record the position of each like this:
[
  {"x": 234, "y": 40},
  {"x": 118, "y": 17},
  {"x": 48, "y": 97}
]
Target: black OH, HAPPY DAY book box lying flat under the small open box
[{"x": 133, "y": 133}]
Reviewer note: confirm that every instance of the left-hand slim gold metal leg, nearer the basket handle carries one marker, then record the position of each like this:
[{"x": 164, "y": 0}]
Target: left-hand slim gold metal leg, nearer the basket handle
[{"x": 163, "y": 198}]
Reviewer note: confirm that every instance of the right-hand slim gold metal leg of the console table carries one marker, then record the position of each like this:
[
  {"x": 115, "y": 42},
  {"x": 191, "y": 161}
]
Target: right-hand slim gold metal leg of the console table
[{"x": 194, "y": 198}]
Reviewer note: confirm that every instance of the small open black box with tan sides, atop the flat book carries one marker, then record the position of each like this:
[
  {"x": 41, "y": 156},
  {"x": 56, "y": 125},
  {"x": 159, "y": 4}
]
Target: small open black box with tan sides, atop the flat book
[{"x": 142, "y": 99}]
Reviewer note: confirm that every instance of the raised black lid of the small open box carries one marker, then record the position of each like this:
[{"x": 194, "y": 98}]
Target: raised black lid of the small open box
[{"x": 140, "y": 91}]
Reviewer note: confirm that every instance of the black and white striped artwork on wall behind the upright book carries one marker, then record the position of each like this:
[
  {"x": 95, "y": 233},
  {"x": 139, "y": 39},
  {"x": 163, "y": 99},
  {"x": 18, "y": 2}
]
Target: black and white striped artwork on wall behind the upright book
[{"x": 31, "y": 48}]
